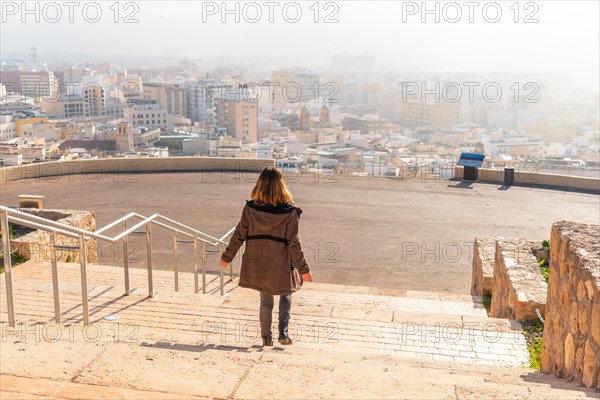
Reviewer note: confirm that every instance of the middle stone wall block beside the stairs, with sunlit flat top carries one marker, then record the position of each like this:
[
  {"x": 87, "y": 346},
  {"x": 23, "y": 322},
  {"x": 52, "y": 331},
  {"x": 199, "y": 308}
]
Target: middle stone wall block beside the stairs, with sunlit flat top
[{"x": 519, "y": 286}]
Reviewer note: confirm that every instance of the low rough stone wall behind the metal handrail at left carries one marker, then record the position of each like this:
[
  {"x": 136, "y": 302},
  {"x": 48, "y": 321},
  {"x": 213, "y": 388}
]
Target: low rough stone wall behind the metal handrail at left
[{"x": 36, "y": 245}]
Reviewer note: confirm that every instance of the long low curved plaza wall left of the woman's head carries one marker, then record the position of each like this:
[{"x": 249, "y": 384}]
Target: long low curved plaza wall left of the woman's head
[{"x": 127, "y": 167}]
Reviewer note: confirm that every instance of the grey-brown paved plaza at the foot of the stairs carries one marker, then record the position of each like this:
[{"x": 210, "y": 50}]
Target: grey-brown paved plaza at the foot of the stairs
[{"x": 378, "y": 232}]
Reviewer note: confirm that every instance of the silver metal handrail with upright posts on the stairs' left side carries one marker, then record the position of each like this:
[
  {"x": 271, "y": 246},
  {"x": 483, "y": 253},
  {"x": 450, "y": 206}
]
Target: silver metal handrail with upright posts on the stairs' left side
[{"x": 209, "y": 244}]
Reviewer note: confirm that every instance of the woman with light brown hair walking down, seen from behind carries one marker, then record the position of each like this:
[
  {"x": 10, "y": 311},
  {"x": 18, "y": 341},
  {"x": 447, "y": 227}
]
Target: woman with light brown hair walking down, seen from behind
[{"x": 273, "y": 262}]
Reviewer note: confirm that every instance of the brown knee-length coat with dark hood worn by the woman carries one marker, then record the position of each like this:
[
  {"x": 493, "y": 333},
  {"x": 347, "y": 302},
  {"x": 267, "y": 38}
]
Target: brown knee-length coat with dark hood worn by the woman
[{"x": 273, "y": 259}]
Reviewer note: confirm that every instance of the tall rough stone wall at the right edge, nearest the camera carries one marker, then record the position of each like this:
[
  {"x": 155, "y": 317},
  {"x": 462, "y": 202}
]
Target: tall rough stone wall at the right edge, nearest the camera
[{"x": 571, "y": 343}]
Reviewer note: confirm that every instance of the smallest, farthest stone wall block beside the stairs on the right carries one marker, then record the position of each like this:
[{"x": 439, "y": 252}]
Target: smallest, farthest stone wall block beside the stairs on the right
[{"x": 483, "y": 266}]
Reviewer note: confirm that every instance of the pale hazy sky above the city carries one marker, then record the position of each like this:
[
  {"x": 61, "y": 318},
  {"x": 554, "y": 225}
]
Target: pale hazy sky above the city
[{"x": 565, "y": 38}]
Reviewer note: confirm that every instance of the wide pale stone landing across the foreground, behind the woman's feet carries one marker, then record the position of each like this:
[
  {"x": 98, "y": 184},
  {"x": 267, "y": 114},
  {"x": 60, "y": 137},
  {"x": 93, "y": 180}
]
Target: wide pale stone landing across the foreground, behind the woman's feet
[{"x": 81, "y": 369}]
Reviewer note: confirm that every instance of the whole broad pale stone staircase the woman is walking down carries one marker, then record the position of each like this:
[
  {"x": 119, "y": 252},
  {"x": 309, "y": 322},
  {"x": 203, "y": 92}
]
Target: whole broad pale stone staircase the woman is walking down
[{"x": 349, "y": 342}]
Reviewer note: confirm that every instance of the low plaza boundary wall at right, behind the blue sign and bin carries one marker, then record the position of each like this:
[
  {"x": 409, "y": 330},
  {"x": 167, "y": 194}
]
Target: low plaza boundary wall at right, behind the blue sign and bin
[{"x": 533, "y": 178}]
